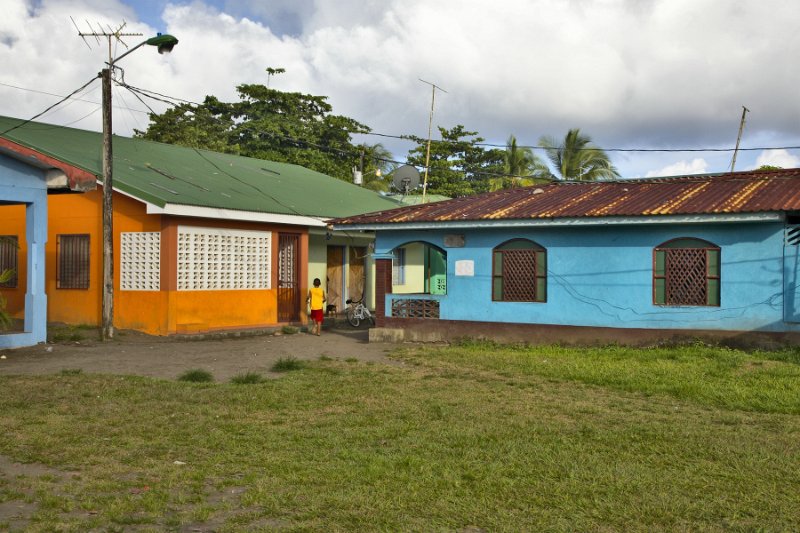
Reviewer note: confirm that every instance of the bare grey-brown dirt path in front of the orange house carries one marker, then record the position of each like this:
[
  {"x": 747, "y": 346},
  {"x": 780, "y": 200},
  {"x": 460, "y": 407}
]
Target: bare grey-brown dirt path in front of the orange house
[{"x": 134, "y": 353}]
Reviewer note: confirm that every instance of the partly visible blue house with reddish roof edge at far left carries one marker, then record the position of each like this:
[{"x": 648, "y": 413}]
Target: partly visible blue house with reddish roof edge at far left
[{"x": 26, "y": 178}]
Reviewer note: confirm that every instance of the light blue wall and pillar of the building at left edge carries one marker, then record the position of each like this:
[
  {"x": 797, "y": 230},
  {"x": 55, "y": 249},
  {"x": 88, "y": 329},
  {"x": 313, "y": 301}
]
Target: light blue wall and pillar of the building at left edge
[{"x": 23, "y": 184}]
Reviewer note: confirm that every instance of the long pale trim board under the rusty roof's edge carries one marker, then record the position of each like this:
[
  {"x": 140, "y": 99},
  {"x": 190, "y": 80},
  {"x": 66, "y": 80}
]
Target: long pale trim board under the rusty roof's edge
[{"x": 578, "y": 221}]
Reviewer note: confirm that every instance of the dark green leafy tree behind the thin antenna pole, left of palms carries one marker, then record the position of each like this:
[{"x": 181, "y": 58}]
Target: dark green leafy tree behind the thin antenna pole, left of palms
[{"x": 458, "y": 165}]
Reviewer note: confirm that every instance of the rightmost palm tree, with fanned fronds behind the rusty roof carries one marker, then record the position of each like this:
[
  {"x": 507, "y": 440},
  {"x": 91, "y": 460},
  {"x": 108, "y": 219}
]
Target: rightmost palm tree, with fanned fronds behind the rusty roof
[{"x": 576, "y": 158}]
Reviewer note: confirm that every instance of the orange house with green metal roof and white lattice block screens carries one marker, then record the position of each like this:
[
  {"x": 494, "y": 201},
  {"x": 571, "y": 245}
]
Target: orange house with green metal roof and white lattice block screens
[{"x": 202, "y": 241}]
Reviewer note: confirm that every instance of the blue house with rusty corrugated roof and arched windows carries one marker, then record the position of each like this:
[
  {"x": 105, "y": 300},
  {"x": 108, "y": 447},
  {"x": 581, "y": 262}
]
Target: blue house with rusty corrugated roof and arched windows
[{"x": 712, "y": 256}]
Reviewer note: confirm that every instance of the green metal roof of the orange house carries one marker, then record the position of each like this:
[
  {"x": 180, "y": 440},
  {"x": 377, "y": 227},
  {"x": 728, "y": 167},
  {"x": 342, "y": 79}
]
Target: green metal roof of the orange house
[{"x": 163, "y": 174}]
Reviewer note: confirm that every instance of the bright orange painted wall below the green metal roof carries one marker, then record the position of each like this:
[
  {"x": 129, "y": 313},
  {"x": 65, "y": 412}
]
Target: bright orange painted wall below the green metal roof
[{"x": 163, "y": 312}]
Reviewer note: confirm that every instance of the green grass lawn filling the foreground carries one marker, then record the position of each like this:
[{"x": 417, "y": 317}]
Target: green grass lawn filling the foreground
[{"x": 465, "y": 438}]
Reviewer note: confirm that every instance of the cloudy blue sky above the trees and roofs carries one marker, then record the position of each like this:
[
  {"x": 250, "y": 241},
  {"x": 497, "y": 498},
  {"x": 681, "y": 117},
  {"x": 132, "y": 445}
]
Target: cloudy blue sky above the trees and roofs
[{"x": 645, "y": 74}]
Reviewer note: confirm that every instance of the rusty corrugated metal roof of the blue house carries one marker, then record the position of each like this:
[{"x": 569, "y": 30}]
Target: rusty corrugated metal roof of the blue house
[{"x": 739, "y": 192}]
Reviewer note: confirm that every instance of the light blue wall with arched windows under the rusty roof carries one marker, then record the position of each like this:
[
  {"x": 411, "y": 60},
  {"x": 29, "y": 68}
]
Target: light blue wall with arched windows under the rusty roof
[{"x": 602, "y": 276}]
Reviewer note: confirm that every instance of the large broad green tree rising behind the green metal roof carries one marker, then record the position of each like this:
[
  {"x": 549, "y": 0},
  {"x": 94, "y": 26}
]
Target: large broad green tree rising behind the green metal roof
[{"x": 266, "y": 123}]
